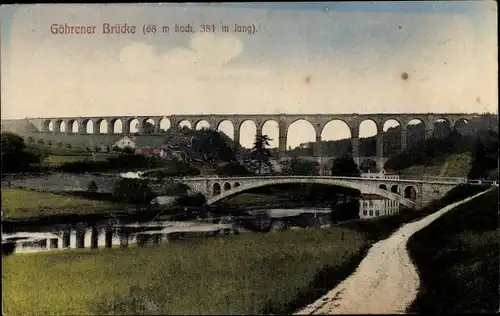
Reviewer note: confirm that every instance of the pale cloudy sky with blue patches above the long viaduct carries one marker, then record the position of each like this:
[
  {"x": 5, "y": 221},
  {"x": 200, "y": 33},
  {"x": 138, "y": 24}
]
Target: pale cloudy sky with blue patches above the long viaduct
[{"x": 304, "y": 58}]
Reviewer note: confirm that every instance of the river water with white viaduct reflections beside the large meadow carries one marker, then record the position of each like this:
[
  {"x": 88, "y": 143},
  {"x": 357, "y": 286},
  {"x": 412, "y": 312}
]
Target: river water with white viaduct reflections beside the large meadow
[{"x": 115, "y": 233}]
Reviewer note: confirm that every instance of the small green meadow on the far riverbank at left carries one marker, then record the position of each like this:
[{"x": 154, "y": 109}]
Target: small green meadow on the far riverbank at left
[{"x": 18, "y": 204}]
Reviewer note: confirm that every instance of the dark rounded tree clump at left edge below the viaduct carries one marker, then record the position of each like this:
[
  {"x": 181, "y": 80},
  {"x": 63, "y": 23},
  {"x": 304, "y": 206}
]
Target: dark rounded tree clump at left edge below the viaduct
[{"x": 15, "y": 156}]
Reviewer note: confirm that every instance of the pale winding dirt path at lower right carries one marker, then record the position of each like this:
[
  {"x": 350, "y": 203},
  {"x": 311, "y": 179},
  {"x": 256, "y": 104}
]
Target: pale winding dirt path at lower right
[{"x": 386, "y": 281}]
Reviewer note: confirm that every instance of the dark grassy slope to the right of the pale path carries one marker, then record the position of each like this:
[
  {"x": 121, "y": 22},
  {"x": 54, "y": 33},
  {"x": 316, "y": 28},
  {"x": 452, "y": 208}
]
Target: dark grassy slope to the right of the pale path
[{"x": 457, "y": 258}]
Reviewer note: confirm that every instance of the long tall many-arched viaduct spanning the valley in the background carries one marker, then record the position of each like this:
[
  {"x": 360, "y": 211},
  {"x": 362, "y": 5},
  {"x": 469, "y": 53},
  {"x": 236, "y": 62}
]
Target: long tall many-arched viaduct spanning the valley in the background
[{"x": 111, "y": 125}]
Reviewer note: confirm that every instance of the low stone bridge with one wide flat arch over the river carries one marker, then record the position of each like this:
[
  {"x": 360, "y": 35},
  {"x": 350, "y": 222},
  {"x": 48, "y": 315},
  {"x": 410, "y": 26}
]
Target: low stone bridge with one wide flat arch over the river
[{"x": 410, "y": 193}]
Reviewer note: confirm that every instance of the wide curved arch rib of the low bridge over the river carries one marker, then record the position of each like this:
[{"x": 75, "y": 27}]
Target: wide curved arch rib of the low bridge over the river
[{"x": 298, "y": 180}]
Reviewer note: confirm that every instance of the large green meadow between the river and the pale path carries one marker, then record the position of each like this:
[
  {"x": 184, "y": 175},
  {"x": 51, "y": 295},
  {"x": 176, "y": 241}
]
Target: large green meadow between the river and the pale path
[{"x": 250, "y": 273}]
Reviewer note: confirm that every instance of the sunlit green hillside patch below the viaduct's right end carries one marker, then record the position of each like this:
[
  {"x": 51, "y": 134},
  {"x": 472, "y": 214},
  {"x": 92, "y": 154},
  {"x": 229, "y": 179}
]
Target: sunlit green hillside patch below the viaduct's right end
[{"x": 457, "y": 165}]
